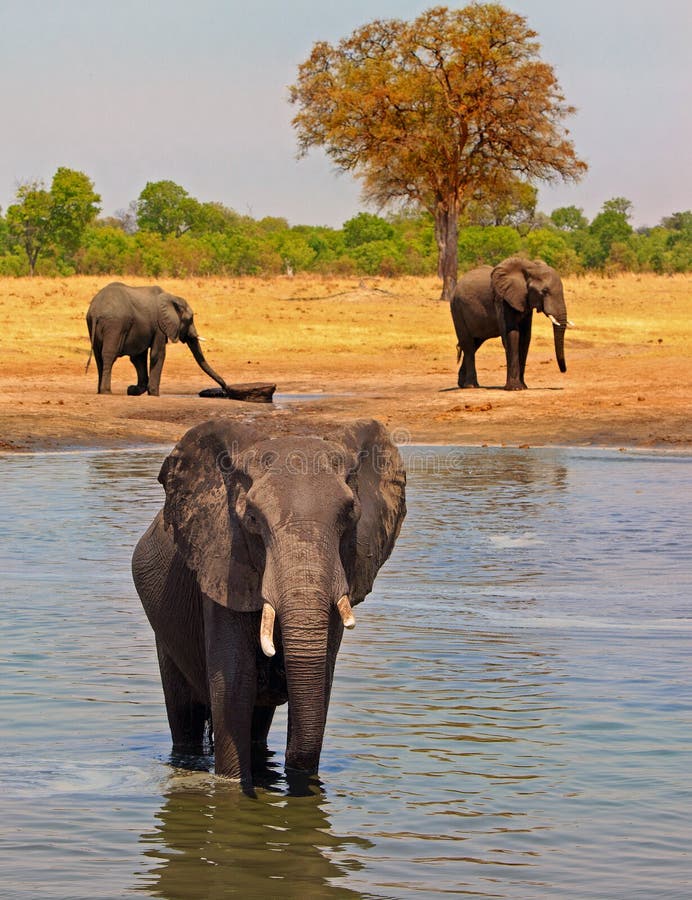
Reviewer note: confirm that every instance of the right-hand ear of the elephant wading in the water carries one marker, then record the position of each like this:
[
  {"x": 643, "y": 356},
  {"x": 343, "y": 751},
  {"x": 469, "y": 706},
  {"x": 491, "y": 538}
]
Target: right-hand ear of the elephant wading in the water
[{"x": 379, "y": 482}]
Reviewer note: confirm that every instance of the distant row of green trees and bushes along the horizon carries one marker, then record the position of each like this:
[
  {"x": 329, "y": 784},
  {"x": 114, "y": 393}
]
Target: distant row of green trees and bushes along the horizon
[{"x": 166, "y": 232}]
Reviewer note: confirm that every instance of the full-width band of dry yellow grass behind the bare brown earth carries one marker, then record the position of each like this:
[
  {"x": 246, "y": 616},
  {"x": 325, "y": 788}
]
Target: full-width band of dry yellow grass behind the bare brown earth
[{"x": 313, "y": 324}]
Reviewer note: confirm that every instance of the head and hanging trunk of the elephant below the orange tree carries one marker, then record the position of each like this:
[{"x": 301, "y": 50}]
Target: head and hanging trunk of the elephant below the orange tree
[{"x": 532, "y": 284}]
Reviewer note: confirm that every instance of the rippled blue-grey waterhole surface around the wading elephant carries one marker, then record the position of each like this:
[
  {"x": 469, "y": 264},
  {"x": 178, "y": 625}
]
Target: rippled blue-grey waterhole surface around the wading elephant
[{"x": 512, "y": 716}]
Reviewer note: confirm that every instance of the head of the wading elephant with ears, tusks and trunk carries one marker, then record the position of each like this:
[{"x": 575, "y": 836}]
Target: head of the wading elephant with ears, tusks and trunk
[{"x": 295, "y": 527}]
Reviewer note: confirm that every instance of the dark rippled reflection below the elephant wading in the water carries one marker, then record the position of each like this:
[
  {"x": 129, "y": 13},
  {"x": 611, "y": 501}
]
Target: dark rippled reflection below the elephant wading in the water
[{"x": 209, "y": 838}]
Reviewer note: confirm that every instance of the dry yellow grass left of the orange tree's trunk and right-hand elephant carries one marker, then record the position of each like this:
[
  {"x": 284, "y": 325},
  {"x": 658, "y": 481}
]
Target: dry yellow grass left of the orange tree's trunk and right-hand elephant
[{"x": 284, "y": 322}]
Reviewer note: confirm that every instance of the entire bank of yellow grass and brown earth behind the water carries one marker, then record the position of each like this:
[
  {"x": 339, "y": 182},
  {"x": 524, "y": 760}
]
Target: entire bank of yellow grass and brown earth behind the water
[{"x": 345, "y": 348}]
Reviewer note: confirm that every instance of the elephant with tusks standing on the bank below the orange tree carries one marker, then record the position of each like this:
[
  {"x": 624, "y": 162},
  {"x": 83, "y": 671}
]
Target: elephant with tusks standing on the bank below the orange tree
[{"x": 499, "y": 302}]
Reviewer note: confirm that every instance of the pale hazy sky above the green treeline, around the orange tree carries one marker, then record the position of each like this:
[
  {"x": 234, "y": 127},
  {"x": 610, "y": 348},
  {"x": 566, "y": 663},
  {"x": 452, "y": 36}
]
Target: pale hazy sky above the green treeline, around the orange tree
[{"x": 131, "y": 91}]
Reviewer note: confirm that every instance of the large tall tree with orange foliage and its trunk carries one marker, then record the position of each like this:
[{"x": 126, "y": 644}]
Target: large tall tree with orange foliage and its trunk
[{"x": 451, "y": 107}]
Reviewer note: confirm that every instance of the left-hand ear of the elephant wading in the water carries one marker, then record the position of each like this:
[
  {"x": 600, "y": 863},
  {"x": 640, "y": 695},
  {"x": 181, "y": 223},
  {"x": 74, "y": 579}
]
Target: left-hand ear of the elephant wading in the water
[{"x": 202, "y": 481}]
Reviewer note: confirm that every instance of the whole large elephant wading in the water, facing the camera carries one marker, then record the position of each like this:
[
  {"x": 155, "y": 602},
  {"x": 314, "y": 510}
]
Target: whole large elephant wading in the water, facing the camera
[{"x": 251, "y": 521}]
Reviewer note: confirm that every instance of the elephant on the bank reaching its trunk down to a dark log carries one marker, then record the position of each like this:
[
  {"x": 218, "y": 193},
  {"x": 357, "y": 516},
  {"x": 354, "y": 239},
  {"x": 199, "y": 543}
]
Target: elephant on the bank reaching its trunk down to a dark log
[{"x": 136, "y": 322}]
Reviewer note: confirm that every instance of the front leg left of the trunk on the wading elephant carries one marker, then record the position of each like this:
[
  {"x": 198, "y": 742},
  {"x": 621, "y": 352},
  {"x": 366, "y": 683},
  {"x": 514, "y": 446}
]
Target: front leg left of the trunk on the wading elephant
[{"x": 231, "y": 647}]
